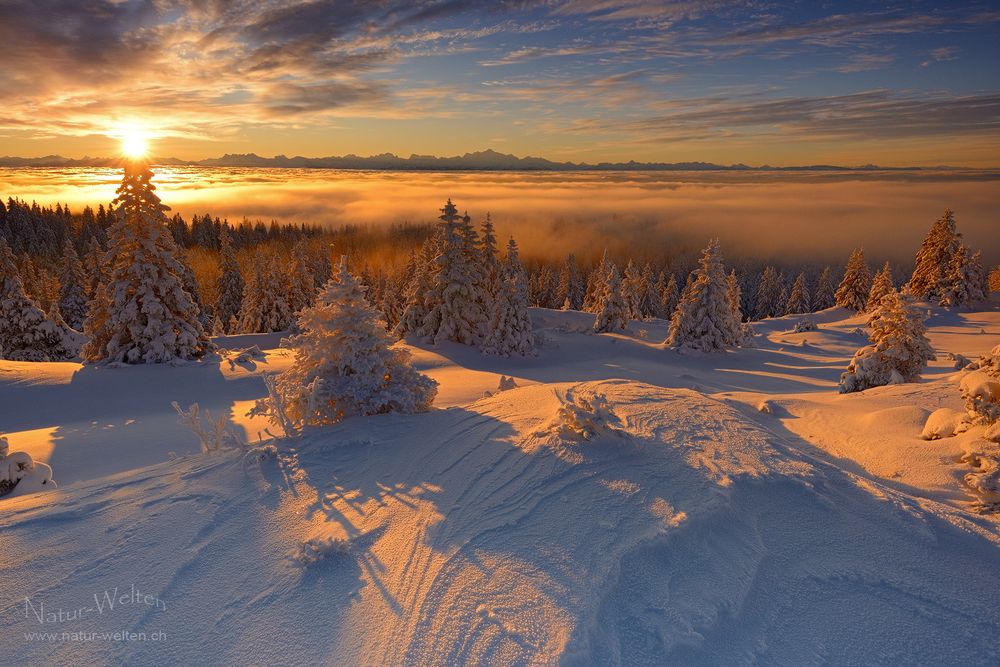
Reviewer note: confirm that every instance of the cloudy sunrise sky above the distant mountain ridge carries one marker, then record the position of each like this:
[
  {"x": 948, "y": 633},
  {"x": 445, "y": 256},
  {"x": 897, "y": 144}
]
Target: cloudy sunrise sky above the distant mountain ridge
[{"x": 758, "y": 82}]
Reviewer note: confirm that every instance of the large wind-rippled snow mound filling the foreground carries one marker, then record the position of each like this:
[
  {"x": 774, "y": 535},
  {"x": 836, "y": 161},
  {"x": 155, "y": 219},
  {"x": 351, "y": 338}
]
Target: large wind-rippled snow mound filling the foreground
[{"x": 687, "y": 534}]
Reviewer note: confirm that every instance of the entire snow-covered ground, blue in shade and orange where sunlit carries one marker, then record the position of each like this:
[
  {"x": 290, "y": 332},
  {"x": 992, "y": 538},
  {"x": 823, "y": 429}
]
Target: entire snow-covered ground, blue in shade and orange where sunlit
[{"x": 691, "y": 528}]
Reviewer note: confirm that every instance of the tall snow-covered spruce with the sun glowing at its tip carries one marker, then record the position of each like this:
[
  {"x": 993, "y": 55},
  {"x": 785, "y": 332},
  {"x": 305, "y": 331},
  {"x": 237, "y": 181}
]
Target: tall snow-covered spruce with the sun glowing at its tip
[{"x": 150, "y": 317}]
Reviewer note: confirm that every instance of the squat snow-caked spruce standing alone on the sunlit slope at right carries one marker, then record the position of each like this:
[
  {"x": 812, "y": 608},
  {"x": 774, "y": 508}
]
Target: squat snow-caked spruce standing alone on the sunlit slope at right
[{"x": 899, "y": 348}]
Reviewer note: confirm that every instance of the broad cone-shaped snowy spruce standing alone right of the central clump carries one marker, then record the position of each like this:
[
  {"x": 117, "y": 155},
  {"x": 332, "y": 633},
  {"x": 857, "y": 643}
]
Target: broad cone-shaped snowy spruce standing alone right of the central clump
[{"x": 704, "y": 319}]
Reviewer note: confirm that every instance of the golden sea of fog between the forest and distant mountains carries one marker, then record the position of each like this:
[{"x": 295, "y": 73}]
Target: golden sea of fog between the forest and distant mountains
[{"x": 759, "y": 215}]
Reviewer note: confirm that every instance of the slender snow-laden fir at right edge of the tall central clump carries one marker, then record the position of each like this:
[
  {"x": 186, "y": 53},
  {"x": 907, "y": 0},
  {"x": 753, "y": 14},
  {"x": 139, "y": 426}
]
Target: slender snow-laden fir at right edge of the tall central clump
[{"x": 509, "y": 329}]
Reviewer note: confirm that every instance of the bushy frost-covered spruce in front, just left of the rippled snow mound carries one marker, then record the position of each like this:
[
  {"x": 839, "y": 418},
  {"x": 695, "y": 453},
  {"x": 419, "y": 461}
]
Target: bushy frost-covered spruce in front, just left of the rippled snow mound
[{"x": 344, "y": 364}]
